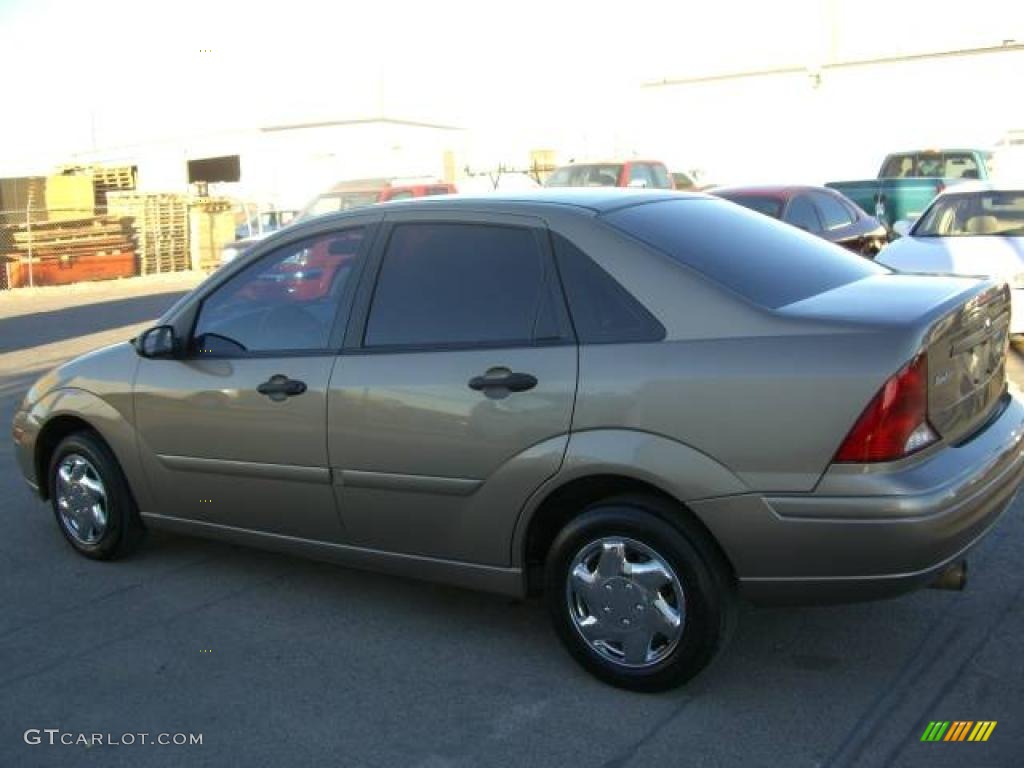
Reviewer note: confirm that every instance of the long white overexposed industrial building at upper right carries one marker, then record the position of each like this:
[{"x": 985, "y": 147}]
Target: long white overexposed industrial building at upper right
[{"x": 837, "y": 120}]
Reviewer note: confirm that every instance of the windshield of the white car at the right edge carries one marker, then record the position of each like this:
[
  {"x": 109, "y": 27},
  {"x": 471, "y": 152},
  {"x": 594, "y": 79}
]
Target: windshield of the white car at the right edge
[{"x": 971, "y": 215}]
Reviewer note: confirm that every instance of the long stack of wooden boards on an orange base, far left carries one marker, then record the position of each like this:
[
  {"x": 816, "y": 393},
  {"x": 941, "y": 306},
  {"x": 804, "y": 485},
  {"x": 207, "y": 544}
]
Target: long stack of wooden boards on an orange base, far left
[{"x": 68, "y": 251}]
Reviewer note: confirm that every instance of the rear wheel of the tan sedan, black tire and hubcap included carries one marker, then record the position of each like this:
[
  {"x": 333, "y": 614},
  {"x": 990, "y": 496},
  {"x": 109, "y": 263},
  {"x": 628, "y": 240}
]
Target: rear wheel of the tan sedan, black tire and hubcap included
[{"x": 639, "y": 594}]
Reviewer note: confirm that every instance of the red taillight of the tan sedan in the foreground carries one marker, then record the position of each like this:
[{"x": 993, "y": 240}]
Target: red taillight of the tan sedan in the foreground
[{"x": 895, "y": 422}]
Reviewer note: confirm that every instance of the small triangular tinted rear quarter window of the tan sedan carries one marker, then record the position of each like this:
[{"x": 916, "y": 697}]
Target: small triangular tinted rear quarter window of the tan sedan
[{"x": 603, "y": 311}]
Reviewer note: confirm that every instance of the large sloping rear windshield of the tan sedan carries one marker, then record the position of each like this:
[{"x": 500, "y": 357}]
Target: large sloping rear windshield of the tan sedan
[{"x": 763, "y": 261}]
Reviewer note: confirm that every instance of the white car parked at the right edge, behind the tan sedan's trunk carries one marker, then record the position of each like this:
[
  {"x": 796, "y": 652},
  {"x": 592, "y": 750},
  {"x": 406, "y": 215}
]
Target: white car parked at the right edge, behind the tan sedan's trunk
[{"x": 972, "y": 229}]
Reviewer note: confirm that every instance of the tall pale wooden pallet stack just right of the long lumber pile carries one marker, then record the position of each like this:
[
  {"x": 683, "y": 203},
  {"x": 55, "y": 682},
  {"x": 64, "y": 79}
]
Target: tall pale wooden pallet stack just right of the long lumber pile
[{"x": 160, "y": 224}]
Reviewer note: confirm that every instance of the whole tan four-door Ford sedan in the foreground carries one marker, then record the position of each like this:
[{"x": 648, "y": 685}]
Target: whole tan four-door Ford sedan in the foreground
[{"x": 452, "y": 394}]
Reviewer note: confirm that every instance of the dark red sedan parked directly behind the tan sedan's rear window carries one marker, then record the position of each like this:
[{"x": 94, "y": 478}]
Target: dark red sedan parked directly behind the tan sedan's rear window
[{"x": 818, "y": 210}]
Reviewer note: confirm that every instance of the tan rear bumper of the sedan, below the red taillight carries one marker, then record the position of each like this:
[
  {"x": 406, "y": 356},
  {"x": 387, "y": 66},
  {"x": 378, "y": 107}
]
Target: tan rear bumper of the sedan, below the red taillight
[{"x": 873, "y": 532}]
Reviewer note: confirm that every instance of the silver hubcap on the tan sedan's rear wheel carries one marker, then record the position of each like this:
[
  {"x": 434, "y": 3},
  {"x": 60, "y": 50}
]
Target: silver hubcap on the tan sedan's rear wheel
[{"x": 626, "y": 602}]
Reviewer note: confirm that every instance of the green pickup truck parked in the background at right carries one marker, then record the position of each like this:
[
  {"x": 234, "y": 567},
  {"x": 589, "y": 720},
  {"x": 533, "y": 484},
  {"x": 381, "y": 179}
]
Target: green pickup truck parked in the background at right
[{"x": 909, "y": 182}]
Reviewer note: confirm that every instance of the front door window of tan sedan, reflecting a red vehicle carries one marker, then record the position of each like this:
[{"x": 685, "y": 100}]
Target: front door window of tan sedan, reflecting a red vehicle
[{"x": 288, "y": 301}]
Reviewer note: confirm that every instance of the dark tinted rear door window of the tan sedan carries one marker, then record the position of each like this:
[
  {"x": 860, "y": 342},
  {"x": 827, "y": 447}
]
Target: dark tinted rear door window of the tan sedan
[{"x": 459, "y": 285}]
